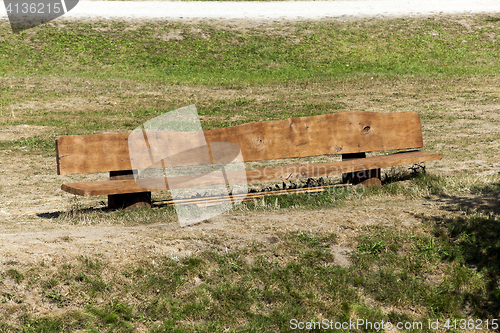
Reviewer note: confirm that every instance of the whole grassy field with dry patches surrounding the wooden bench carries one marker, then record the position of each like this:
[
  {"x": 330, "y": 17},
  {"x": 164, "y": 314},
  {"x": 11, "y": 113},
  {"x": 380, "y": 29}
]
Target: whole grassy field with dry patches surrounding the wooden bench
[{"x": 422, "y": 248}]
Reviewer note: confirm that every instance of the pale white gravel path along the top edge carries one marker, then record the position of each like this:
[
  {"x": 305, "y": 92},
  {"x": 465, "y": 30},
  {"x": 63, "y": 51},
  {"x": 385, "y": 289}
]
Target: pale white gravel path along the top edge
[{"x": 274, "y": 10}]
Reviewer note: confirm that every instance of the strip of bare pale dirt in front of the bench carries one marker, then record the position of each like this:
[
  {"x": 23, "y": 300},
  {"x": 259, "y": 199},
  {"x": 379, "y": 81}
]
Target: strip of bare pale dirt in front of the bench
[{"x": 38, "y": 238}]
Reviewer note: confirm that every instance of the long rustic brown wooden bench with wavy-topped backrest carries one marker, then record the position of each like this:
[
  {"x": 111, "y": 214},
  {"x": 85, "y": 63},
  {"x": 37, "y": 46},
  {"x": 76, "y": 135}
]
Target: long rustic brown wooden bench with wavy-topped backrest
[{"x": 351, "y": 134}]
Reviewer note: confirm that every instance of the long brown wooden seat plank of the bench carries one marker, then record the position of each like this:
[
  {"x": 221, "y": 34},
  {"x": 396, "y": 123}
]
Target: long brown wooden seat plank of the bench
[{"x": 296, "y": 171}]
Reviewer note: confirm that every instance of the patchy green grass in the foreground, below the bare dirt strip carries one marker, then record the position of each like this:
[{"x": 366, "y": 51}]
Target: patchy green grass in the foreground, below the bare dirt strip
[{"x": 293, "y": 279}]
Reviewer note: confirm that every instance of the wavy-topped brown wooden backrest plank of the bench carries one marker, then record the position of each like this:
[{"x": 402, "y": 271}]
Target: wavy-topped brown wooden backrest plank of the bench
[{"x": 338, "y": 133}]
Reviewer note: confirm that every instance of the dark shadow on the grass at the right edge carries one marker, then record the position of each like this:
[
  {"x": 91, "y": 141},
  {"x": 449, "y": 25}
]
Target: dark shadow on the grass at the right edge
[{"x": 475, "y": 235}]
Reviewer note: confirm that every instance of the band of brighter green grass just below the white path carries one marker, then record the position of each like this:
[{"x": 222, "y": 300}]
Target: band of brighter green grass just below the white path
[{"x": 211, "y": 55}]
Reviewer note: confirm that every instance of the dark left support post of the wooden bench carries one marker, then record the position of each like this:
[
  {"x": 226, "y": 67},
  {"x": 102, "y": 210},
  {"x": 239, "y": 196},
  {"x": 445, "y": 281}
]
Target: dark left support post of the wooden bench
[{"x": 128, "y": 201}]
